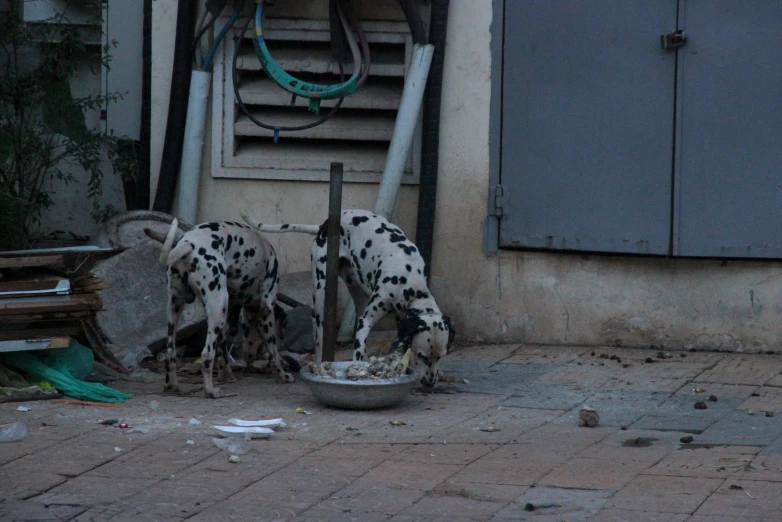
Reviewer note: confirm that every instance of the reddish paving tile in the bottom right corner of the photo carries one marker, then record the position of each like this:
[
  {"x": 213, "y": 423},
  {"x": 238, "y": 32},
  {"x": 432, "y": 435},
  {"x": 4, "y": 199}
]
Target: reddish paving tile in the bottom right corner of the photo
[{"x": 755, "y": 500}]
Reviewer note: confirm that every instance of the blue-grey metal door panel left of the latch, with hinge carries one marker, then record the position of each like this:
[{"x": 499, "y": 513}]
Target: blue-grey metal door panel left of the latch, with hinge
[{"x": 587, "y": 125}]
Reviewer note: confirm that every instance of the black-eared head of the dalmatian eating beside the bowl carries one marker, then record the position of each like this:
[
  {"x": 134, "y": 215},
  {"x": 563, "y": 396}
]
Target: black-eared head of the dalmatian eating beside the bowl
[{"x": 429, "y": 335}]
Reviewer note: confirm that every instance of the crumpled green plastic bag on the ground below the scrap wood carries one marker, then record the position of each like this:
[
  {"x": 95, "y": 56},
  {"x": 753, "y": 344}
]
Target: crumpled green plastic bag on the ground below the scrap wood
[{"x": 65, "y": 369}]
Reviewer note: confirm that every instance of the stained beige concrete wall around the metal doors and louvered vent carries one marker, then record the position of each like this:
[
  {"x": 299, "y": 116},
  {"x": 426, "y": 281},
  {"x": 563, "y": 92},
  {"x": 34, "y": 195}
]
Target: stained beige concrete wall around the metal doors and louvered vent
[{"x": 516, "y": 296}]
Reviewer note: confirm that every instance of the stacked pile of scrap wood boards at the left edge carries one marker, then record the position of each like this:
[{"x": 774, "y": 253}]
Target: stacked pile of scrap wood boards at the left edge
[{"x": 48, "y": 296}]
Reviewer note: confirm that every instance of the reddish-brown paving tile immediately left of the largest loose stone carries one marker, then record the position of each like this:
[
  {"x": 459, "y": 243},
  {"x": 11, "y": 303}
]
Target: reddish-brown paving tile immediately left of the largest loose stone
[{"x": 503, "y": 425}]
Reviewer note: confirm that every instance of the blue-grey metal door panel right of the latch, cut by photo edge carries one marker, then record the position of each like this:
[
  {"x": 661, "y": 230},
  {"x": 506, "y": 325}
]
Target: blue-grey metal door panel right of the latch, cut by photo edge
[{"x": 729, "y": 139}]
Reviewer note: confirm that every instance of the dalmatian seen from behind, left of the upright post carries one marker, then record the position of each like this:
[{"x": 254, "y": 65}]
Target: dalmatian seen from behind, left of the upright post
[{"x": 227, "y": 266}]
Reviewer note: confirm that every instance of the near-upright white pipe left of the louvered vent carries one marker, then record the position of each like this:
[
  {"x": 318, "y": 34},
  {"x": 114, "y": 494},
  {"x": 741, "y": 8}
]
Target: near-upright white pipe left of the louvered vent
[{"x": 193, "y": 146}]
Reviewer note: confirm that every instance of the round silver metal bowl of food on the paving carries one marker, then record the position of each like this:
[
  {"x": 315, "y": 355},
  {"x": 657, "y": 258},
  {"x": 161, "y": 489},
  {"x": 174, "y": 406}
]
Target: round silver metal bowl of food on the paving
[{"x": 363, "y": 394}]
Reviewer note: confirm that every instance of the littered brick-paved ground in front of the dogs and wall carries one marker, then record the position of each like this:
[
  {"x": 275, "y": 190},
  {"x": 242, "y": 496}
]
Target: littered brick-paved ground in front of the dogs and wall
[{"x": 441, "y": 465}]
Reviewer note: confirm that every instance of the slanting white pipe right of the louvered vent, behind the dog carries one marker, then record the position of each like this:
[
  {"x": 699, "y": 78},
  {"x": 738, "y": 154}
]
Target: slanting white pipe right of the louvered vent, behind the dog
[{"x": 398, "y": 152}]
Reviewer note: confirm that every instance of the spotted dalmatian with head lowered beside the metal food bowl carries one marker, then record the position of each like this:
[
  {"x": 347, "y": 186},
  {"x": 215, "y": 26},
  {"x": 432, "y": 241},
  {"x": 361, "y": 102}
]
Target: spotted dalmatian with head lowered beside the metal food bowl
[{"x": 384, "y": 273}]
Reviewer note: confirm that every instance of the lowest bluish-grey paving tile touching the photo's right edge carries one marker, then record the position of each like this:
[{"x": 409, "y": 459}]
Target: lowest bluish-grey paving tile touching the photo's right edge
[{"x": 742, "y": 429}]
